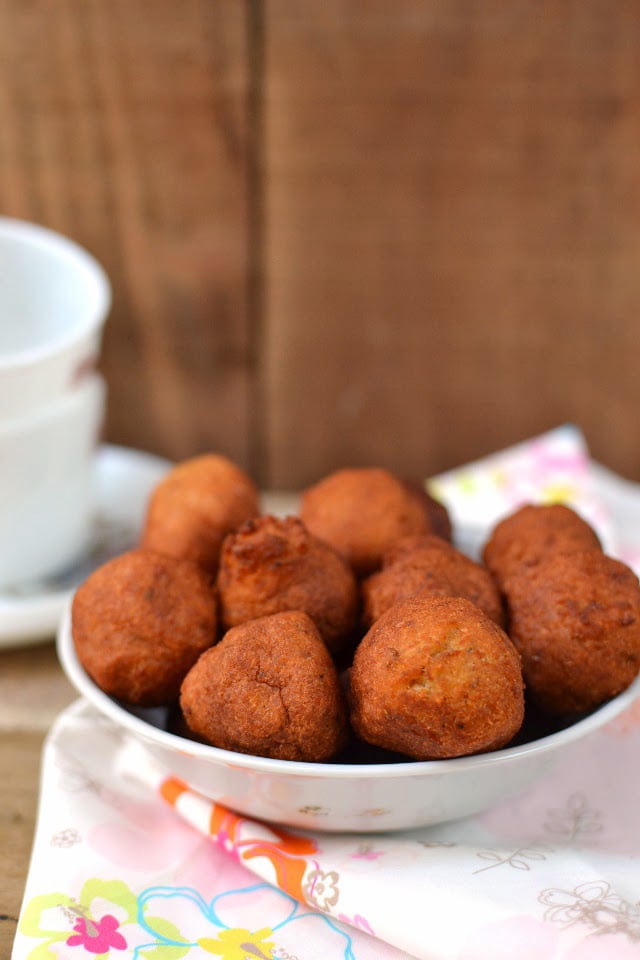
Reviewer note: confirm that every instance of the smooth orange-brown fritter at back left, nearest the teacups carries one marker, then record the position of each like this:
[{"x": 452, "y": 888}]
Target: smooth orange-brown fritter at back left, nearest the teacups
[{"x": 193, "y": 508}]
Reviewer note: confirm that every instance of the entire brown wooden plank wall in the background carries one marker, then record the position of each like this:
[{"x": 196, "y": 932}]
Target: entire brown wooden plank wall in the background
[{"x": 343, "y": 232}]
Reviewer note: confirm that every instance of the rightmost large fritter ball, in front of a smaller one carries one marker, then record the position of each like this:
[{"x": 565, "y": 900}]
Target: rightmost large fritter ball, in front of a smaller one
[{"x": 576, "y": 621}]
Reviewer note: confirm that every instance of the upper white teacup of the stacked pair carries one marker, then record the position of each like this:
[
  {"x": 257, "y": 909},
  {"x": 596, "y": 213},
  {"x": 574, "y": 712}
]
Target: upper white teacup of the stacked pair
[{"x": 54, "y": 299}]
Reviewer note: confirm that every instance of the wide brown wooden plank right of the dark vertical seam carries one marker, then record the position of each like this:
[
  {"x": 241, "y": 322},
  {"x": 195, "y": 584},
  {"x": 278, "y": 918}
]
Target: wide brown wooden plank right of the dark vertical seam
[{"x": 451, "y": 230}]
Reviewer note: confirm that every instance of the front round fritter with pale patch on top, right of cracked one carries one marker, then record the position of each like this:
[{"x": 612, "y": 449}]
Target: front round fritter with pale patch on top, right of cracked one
[{"x": 434, "y": 678}]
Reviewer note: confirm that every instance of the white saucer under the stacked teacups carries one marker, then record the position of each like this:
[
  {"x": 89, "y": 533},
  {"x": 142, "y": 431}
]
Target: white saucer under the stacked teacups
[{"x": 123, "y": 481}]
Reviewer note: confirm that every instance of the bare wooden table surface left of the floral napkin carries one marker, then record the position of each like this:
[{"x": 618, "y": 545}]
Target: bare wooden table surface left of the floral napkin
[{"x": 33, "y": 690}]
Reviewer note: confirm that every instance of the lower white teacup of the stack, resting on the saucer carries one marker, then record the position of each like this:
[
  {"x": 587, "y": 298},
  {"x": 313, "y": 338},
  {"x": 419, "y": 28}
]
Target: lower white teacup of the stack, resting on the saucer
[{"x": 46, "y": 466}]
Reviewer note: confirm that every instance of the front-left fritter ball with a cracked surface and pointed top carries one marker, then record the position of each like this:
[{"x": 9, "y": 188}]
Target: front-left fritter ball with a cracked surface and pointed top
[{"x": 268, "y": 688}]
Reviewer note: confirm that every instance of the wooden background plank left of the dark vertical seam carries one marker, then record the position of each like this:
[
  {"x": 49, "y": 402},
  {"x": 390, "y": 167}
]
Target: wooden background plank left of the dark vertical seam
[{"x": 124, "y": 124}]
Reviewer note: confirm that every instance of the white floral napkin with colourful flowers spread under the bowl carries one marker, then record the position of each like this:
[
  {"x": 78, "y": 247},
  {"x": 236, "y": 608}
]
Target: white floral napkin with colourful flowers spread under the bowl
[{"x": 130, "y": 863}]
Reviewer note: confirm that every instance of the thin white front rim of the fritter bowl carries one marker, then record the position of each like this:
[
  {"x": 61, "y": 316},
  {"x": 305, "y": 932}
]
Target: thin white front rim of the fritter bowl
[{"x": 335, "y": 771}]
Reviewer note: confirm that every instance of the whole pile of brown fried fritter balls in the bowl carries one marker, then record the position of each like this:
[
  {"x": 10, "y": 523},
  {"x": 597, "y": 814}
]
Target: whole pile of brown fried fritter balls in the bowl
[{"x": 246, "y": 620}]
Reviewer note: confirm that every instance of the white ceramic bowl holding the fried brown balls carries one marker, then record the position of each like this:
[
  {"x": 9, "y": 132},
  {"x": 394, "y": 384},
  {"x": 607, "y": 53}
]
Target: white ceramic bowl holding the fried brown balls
[{"x": 339, "y": 796}]
